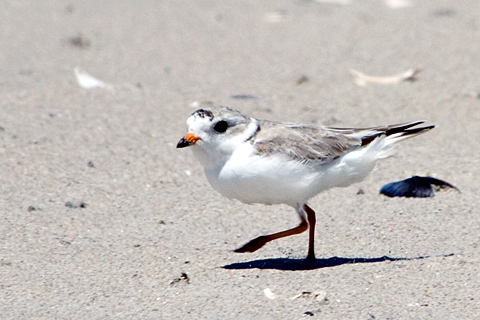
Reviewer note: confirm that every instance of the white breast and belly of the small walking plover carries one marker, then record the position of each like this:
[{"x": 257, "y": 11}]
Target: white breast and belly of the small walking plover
[{"x": 272, "y": 180}]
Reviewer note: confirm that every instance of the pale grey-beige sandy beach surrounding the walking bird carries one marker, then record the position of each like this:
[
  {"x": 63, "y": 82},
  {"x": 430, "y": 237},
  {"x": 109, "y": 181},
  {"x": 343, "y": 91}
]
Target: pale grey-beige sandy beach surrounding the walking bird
[{"x": 103, "y": 218}]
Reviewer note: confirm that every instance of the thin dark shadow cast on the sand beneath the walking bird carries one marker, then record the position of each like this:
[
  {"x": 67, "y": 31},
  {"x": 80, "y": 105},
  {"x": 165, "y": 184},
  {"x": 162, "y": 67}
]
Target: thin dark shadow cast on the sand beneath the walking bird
[{"x": 289, "y": 264}]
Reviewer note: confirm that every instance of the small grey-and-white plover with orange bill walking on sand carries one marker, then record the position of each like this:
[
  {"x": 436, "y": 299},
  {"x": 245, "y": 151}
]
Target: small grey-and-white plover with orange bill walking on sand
[{"x": 260, "y": 161}]
